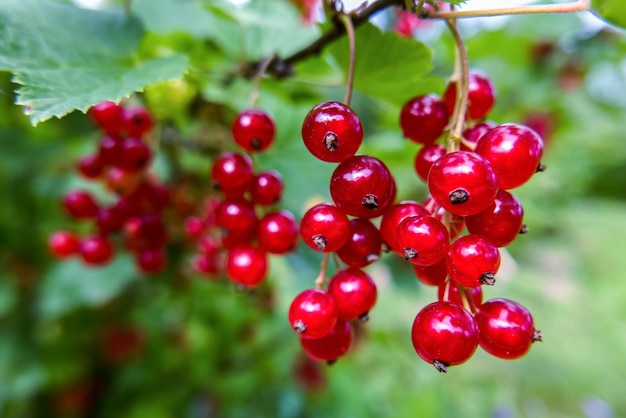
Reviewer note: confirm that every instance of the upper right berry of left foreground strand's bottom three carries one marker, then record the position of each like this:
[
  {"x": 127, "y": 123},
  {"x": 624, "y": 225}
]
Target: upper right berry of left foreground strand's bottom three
[{"x": 354, "y": 293}]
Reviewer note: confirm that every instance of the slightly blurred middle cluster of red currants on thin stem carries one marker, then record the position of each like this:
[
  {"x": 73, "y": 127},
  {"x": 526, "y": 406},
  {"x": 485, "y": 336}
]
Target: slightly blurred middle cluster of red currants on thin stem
[{"x": 232, "y": 237}]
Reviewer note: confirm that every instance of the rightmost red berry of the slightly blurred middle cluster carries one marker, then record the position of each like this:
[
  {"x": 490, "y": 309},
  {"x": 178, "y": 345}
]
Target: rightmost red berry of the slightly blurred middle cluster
[{"x": 278, "y": 232}]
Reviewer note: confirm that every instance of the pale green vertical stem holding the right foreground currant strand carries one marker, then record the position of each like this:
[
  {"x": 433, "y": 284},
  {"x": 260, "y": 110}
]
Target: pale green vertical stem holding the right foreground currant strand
[{"x": 462, "y": 86}]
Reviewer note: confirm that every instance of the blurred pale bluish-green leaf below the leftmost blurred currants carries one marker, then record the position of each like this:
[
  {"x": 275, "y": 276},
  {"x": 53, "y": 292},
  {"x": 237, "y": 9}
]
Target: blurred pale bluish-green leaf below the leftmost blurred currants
[{"x": 72, "y": 284}]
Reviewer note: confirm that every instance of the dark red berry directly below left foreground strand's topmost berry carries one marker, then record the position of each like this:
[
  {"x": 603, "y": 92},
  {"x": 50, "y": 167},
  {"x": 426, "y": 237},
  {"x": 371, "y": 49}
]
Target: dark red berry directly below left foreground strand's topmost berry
[{"x": 362, "y": 186}]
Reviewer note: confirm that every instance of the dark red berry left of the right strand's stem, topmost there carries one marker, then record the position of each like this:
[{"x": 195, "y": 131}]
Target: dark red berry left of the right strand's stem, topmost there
[{"x": 423, "y": 119}]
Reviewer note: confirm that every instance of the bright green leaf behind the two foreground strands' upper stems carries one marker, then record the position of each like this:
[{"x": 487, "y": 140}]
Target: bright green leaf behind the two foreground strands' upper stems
[{"x": 387, "y": 66}]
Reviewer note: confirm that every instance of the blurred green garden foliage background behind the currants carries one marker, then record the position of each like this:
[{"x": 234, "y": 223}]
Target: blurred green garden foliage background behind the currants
[{"x": 81, "y": 342}]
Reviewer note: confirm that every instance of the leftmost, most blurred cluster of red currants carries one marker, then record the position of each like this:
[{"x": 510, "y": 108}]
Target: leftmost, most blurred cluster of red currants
[{"x": 120, "y": 163}]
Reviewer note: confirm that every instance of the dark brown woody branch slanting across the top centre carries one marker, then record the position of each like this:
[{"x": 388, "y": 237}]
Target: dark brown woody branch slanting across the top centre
[{"x": 284, "y": 67}]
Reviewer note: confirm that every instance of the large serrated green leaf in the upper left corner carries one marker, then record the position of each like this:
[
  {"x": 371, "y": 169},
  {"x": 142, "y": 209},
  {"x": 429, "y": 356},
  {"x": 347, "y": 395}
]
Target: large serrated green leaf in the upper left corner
[{"x": 67, "y": 58}]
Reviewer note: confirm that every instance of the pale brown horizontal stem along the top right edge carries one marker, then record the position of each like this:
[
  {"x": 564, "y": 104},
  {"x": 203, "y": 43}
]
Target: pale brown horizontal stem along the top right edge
[{"x": 577, "y": 6}]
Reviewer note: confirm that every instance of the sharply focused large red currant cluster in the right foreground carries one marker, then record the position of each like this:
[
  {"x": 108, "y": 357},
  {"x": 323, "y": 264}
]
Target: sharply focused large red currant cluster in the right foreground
[{"x": 468, "y": 183}]
